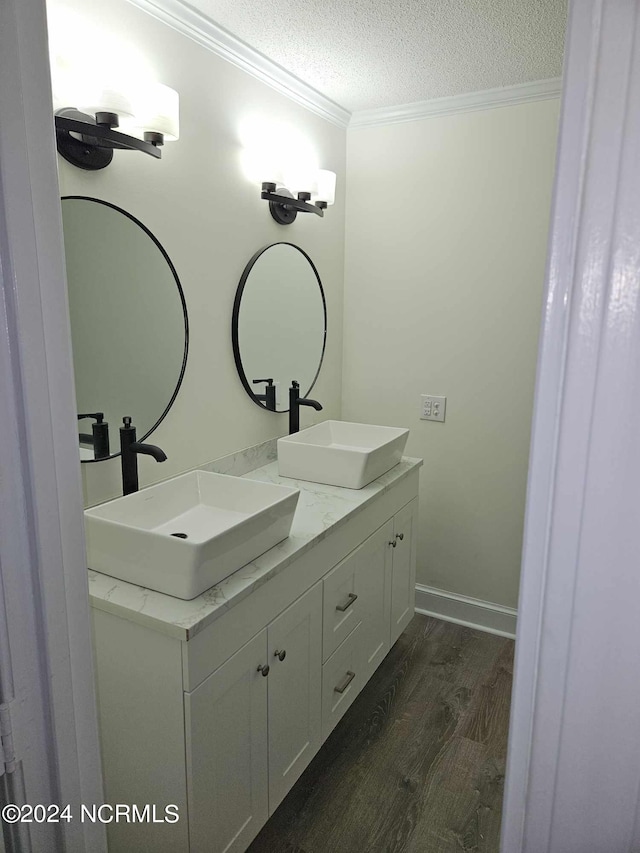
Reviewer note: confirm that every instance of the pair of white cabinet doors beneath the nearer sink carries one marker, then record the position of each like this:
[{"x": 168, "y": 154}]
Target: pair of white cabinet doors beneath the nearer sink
[{"x": 252, "y": 727}]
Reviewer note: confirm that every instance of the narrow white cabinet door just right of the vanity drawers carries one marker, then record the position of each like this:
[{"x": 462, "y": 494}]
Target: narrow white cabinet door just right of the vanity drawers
[{"x": 374, "y": 559}]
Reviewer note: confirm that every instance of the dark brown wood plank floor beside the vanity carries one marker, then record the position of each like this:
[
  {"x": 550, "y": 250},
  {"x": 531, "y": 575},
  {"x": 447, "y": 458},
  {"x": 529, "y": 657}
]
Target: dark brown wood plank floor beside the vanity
[{"x": 417, "y": 763}]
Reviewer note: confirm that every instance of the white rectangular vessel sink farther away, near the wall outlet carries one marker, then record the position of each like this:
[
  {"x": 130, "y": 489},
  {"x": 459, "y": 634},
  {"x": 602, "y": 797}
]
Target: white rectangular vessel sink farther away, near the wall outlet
[{"x": 340, "y": 453}]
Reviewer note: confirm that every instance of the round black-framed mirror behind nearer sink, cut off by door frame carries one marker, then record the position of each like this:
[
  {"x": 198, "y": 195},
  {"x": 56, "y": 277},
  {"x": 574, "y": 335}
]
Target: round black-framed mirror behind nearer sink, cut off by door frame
[{"x": 129, "y": 326}]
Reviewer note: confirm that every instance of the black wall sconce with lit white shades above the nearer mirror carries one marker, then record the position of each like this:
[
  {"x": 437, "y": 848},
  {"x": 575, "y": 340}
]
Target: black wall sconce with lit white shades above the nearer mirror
[{"x": 89, "y": 142}]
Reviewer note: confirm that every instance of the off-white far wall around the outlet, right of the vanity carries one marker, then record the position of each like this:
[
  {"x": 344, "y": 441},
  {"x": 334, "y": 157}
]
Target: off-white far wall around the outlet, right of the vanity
[{"x": 446, "y": 235}]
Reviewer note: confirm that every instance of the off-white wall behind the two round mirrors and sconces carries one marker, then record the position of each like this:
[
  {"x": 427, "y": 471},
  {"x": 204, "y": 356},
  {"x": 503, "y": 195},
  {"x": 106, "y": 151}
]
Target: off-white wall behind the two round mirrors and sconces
[{"x": 211, "y": 220}]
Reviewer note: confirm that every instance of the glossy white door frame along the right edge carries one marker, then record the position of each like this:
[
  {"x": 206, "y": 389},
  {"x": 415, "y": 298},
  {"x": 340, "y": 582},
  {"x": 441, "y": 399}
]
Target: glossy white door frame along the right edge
[{"x": 573, "y": 769}]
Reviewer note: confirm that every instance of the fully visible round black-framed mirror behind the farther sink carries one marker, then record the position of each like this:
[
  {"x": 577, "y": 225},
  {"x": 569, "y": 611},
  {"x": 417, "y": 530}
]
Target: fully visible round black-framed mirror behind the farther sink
[{"x": 279, "y": 325}]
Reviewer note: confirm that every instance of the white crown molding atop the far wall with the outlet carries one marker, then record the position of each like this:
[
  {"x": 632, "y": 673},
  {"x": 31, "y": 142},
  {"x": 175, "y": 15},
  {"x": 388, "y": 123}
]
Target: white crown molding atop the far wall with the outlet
[{"x": 523, "y": 93}]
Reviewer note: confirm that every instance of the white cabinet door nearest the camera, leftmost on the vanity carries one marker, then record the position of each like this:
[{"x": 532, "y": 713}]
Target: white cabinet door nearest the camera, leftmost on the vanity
[{"x": 227, "y": 775}]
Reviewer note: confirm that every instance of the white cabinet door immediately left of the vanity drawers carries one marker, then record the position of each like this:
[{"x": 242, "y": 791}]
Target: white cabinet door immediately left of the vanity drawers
[{"x": 295, "y": 688}]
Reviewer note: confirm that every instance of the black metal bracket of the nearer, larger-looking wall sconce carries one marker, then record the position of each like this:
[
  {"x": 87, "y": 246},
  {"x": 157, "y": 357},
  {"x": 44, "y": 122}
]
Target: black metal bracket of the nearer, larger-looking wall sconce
[{"x": 90, "y": 146}]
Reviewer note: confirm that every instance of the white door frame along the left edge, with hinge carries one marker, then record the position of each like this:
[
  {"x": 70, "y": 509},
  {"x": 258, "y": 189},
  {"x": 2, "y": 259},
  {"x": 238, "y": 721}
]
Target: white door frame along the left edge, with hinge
[{"x": 46, "y": 670}]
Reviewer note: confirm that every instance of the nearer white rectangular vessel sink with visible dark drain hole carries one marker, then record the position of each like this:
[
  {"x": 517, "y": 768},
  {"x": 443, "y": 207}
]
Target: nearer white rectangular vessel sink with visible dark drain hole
[{"x": 187, "y": 534}]
